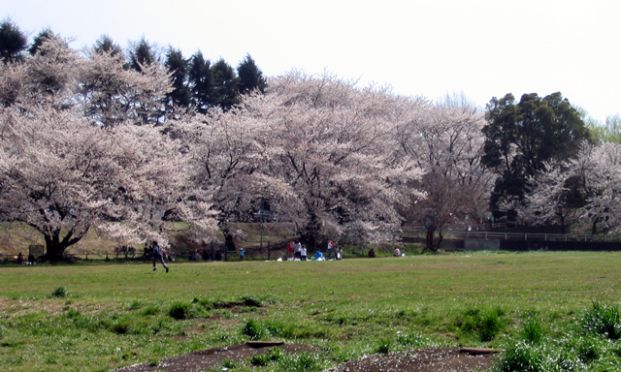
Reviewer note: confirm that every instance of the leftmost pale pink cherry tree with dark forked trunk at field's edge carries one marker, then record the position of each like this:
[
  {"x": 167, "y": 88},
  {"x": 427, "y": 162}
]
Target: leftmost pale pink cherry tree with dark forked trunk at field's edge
[{"x": 63, "y": 176}]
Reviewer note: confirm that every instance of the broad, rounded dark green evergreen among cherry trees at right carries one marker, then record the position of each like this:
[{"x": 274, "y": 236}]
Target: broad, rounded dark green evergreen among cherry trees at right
[{"x": 521, "y": 137}]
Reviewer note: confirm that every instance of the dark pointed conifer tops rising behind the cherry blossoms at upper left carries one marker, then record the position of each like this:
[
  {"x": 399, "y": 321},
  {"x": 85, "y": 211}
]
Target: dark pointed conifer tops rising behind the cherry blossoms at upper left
[{"x": 197, "y": 83}]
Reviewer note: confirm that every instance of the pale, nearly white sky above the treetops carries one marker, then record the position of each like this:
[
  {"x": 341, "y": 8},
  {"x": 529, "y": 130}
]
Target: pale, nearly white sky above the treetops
[{"x": 481, "y": 48}]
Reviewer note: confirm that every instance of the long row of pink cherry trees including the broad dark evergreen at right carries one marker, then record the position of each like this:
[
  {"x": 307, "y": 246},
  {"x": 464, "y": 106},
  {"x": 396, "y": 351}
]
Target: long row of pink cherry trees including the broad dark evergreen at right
[{"x": 87, "y": 143}]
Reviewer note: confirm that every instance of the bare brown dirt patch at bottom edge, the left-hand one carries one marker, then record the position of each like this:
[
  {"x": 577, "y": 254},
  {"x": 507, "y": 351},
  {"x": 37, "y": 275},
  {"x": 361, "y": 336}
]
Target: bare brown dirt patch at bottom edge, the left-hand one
[{"x": 213, "y": 358}]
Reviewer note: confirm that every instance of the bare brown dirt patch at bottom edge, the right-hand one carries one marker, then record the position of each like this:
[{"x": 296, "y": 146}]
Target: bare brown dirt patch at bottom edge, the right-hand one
[{"x": 424, "y": 360}]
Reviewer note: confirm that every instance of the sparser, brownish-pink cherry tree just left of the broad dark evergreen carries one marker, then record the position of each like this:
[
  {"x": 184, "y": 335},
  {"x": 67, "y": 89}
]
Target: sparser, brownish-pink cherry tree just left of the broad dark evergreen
[{"x": 445, "y": 140}]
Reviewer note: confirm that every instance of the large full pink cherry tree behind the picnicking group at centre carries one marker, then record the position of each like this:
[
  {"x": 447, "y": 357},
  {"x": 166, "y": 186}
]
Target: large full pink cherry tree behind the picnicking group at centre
[{"x": 332, "y": 148}]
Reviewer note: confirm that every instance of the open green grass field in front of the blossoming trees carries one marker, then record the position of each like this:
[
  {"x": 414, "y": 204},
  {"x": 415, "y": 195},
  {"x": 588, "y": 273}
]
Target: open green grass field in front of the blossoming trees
[{"x": 100, "y": 317}]
